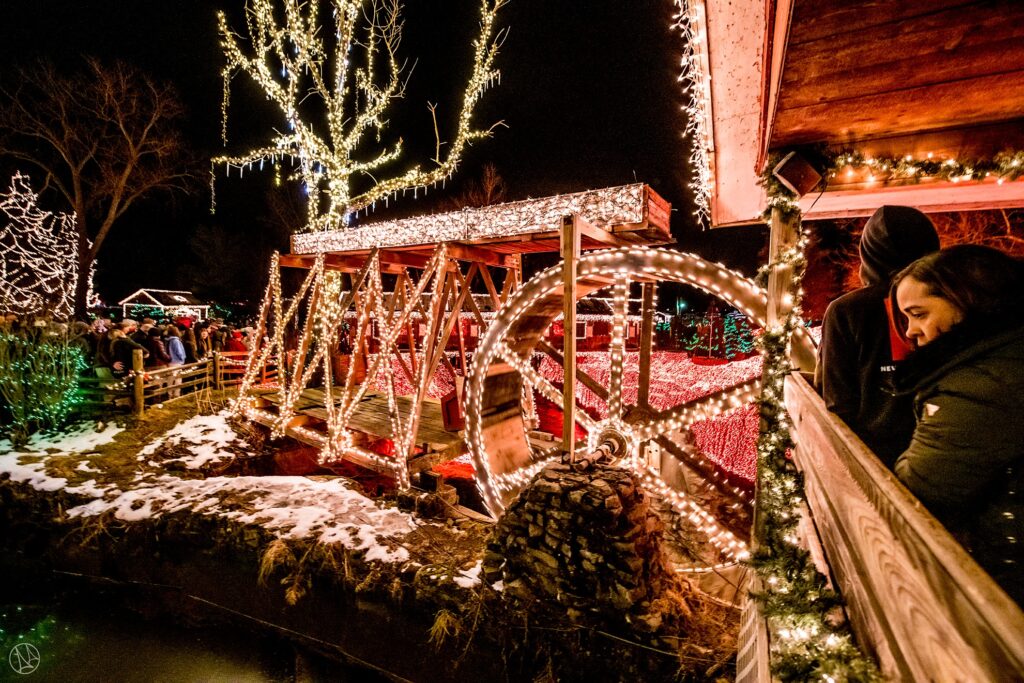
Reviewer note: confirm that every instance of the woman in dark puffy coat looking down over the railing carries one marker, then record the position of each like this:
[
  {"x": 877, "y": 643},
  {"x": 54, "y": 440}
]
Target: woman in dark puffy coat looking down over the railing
[{"x": 962, "y": 308}]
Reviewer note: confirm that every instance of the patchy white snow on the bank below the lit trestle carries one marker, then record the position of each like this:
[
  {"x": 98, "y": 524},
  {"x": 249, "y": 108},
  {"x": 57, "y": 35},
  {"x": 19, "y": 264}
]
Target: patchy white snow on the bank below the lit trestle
[{"x": 291, "y": 507}]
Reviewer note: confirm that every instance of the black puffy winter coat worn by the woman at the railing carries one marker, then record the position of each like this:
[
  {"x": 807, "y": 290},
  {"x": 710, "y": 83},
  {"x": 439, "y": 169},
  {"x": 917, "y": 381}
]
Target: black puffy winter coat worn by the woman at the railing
[{"x": 966, "y": 459}]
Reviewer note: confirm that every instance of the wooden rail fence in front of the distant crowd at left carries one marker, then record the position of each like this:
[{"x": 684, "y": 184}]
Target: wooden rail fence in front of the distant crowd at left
[{"x": 150, "y": 388}]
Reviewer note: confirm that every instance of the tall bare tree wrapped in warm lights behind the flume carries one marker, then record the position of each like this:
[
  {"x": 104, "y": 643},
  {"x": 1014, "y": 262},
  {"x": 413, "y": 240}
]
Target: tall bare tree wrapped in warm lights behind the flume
[{"x": 333, "y": 81}]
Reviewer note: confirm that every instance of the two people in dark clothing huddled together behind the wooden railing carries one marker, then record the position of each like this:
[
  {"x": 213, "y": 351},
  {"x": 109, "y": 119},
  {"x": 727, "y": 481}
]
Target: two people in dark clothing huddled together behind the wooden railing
[{"x": 926, "y": 364}]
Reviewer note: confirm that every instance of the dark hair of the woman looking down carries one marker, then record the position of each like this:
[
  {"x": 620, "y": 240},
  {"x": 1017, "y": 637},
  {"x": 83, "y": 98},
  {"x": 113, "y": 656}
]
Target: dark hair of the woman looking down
[{"x": 980, "y": 282}]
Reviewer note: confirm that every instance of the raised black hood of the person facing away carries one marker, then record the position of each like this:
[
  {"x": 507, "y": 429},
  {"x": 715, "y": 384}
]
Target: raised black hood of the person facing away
[{"x": 894, "y": 237}]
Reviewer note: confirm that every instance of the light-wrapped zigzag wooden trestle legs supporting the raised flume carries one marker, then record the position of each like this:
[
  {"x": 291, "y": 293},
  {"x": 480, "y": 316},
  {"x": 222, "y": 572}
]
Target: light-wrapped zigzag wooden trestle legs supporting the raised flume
[{"x": 327, "y": 306}]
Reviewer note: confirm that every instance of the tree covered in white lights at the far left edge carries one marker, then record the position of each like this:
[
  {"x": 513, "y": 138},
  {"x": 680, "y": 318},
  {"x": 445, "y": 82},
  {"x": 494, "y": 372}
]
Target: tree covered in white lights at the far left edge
[{"x": 38, "y": 255}]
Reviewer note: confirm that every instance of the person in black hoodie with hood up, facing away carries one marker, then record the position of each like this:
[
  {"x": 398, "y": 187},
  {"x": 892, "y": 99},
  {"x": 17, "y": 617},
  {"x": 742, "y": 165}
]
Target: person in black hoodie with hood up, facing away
[{"x": 860, "y": 347}]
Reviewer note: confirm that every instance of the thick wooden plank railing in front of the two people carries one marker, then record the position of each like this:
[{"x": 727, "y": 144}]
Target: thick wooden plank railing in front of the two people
[{"x": 915, "y": 599}]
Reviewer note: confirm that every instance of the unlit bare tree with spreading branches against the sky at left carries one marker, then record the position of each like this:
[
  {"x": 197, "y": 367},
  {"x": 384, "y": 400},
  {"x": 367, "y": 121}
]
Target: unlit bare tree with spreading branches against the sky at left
[{"x": 104, "y": 139}]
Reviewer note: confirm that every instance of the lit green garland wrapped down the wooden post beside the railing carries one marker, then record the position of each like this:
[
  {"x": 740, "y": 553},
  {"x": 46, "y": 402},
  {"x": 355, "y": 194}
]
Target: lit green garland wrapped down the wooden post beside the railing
[{"x": 810, "y": 639}]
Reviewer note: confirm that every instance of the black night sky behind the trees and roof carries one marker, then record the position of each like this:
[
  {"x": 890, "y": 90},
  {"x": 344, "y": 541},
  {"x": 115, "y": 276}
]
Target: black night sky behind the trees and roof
[{"x": 588, "y": 92}]
